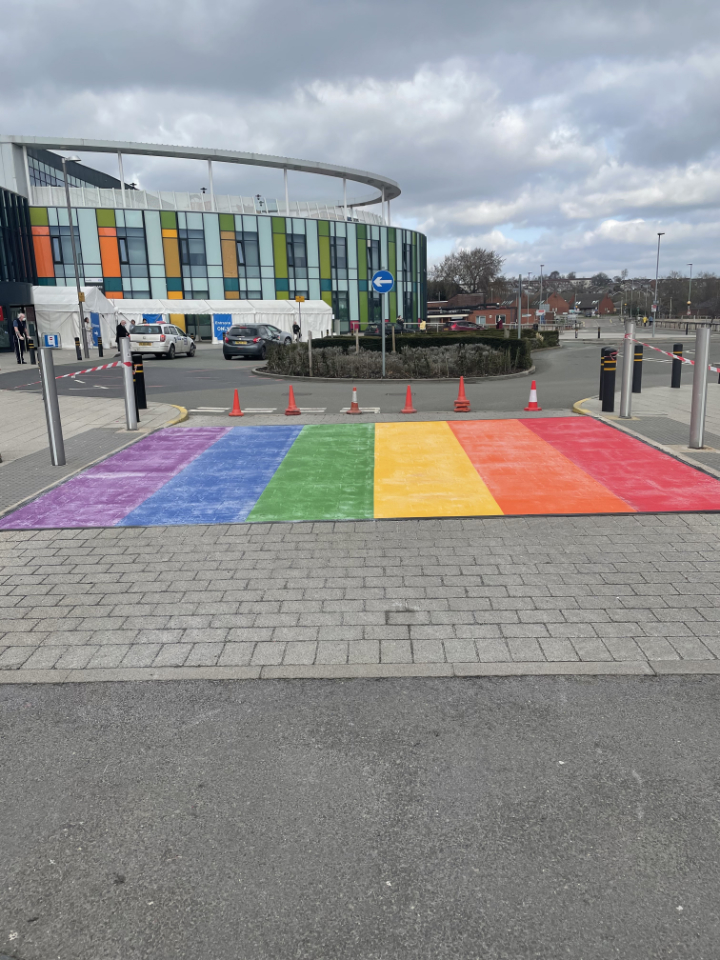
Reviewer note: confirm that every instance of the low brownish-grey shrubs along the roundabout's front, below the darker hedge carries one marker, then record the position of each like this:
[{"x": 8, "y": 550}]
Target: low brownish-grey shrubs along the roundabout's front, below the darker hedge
[{"x": 415, "y": 363}]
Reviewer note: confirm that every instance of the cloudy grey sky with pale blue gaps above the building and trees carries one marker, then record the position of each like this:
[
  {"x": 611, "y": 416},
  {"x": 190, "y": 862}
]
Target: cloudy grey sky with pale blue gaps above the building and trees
[{"x": 556, "y": 132}]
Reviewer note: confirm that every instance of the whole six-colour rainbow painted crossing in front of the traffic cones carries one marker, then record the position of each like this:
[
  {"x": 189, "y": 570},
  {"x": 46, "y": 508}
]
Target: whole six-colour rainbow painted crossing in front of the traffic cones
[{"x": 361, "y": 471}]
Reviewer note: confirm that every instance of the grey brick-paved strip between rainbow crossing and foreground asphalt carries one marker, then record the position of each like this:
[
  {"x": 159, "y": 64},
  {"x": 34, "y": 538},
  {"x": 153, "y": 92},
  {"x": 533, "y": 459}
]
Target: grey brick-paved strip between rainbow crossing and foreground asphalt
[{"x": 502, "y": 595}]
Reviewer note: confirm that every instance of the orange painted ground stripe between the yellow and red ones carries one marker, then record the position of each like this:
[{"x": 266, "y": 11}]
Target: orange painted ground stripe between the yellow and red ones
[{"x": 530, "y": 477}]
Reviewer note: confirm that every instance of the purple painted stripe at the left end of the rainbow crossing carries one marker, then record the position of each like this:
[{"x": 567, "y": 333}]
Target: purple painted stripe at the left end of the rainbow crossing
[{"x": 103, "y": 495}]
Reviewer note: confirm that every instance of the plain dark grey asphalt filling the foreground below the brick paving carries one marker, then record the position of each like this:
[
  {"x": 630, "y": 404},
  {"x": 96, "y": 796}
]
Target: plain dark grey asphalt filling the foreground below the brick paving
[{"x": 500, "y": 819}]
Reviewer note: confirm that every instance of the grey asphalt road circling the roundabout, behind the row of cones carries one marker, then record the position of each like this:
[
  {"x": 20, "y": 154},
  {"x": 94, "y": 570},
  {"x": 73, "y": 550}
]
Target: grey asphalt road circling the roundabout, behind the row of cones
[{"x": 564, "y": 375}]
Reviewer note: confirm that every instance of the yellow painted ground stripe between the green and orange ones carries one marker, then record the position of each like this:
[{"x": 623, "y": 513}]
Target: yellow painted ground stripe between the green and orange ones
[{"x": 422, "y": 471}]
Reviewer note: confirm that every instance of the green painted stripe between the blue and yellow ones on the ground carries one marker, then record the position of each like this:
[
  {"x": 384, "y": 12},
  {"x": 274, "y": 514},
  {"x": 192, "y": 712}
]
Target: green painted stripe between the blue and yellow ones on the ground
[{"x": 328, "y": 474}]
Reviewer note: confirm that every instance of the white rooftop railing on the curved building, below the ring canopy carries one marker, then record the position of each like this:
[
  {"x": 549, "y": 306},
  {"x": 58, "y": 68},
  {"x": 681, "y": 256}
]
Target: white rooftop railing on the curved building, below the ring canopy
[{"x": 87, "y": 196}]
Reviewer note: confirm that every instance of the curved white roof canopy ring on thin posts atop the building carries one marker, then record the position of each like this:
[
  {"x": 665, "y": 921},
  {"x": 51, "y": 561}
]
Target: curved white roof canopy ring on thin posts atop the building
[{"x": 389, "y": 188}]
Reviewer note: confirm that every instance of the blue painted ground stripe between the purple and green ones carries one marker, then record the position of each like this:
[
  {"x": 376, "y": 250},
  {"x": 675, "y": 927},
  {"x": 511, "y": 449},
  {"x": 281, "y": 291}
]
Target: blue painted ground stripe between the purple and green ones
[{"x": 223, "y": 484}]
